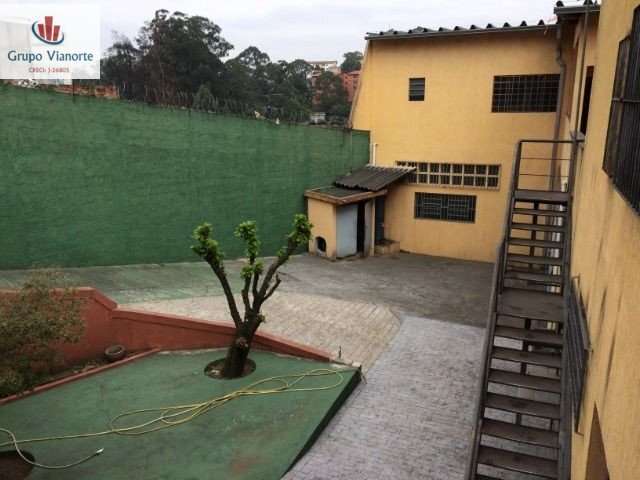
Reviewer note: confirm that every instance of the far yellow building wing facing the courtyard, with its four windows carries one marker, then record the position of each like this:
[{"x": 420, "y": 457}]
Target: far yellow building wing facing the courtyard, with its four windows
[{"x": 453, "y": 103}]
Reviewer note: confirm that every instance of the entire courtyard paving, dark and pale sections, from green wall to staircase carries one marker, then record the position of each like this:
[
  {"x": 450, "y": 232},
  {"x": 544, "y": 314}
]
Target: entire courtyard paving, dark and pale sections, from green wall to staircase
[{"x": 413, "y": 417}]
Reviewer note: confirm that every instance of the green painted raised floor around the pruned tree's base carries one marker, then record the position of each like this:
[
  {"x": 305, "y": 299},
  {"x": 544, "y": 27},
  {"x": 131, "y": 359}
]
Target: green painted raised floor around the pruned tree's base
[{"x": 255, "y": 437}]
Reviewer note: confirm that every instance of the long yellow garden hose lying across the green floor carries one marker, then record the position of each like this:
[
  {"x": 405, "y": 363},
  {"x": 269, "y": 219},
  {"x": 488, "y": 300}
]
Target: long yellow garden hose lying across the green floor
[{"x": 178, "y": 414}]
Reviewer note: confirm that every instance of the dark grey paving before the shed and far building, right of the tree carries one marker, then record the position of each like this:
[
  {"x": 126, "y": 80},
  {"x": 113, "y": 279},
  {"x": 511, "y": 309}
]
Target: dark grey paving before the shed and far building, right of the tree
[{"x": 432, "y": 287}]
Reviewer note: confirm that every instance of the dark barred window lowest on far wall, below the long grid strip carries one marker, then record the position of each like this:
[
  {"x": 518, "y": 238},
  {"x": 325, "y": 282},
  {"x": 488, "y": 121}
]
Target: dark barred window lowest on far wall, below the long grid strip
[{"x": 437, "y": 206}]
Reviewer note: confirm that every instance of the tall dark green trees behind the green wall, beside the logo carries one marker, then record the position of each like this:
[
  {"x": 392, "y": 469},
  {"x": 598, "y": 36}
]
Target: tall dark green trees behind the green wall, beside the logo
[{"x": 175, "y": 55}]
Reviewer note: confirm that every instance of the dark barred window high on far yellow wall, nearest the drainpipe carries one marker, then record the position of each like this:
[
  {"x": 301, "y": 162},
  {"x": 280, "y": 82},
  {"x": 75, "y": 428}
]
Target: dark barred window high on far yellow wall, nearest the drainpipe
[{"x": 525, "y": 93}]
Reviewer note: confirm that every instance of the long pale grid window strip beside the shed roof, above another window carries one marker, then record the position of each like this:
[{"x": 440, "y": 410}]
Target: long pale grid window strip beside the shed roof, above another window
[{"x": 465, "y": 175}]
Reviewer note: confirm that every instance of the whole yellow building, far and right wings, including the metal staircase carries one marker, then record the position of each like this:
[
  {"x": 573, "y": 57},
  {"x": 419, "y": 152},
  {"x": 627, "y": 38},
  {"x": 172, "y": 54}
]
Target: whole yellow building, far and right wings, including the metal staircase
[{"x": 455, "y": 105}]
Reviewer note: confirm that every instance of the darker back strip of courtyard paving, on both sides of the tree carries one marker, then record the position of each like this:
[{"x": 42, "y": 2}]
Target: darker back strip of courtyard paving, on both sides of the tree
[{"x": 433, "y": 287}]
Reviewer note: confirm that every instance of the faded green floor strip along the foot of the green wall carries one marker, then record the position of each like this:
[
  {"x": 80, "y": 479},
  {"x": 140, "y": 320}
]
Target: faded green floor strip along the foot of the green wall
[{"x": 142, "y": 283}]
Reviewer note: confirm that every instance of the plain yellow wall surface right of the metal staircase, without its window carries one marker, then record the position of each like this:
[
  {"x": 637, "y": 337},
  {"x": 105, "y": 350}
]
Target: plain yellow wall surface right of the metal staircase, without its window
[{"x": 606, "y": 258}]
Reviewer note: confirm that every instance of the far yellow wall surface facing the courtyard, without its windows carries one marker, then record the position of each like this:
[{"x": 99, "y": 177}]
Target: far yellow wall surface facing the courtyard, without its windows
[{"x": 454, "y": 124}]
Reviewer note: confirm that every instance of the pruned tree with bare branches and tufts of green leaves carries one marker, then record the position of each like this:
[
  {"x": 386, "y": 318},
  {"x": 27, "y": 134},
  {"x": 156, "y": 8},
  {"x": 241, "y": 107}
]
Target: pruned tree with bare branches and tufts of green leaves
[{"x": 259, "y": 284}]
